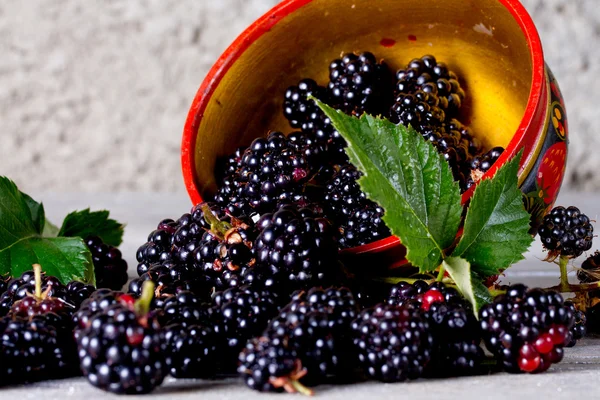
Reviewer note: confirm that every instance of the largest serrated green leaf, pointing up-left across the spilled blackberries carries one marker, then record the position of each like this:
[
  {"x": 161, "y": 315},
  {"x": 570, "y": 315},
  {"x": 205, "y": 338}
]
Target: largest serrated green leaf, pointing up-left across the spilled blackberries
[{"x": 406, "y": 176}]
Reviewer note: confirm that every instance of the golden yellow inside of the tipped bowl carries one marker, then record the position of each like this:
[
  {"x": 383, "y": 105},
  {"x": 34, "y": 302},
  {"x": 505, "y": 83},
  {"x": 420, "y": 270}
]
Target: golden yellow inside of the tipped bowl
[{"x": 477, "y": 39}]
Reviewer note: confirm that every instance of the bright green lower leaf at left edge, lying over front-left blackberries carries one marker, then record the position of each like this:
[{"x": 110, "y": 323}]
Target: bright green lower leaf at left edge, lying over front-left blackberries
[{"x": 61, "y": 257}]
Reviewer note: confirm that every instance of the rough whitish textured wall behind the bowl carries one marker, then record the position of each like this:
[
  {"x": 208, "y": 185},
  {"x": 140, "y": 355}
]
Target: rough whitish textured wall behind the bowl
[{"x": 93, "y": 95}]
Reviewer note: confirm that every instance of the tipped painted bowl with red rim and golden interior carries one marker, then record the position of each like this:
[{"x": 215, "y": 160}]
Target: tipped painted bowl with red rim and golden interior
[{"x": 513, "y": 99}]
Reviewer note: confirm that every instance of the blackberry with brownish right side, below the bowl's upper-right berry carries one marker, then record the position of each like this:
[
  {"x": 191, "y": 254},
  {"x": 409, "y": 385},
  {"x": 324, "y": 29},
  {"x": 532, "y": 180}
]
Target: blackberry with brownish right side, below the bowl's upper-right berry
[{"x": 419, "y": 109}]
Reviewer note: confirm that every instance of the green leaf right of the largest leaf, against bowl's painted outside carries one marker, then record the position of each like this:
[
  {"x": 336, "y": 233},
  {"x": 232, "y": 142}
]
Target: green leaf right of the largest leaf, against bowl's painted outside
[{"x": 496, "y": 227}]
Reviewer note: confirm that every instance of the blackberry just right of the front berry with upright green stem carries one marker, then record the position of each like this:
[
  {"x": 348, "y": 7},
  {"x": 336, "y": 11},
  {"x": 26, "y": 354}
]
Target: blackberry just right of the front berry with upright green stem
[{"x": 191, "y": 351}]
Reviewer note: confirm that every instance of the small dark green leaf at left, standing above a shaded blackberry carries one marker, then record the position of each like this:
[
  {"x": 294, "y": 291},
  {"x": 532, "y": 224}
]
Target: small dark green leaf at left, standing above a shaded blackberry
[{"x": 86, "y": 223}]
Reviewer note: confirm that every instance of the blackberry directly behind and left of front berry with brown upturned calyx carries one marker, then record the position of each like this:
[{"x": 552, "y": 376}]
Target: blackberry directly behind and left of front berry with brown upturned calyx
[{"x": 242, "y": 313}]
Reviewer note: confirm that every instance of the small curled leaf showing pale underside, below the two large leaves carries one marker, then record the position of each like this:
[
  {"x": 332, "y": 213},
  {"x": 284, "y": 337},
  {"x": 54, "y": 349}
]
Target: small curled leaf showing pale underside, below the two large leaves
[{"x": 468, "y": 283}]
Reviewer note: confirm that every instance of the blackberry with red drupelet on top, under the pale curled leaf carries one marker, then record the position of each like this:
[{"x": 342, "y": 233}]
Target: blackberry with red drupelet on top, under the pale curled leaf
[{"x": 453, "y": 325}]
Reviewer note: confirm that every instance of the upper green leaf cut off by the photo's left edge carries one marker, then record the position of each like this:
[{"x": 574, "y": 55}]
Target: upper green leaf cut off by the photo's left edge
[{"x": 15, "y": 216}]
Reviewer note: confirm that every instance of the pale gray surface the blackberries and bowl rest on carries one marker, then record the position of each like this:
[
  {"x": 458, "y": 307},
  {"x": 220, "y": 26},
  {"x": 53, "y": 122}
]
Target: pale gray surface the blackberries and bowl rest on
[{"x": 576, "y": 377}]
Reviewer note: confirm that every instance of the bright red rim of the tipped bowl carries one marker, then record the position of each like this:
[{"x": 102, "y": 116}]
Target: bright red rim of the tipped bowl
[{"x": 286, "y": 7}]
